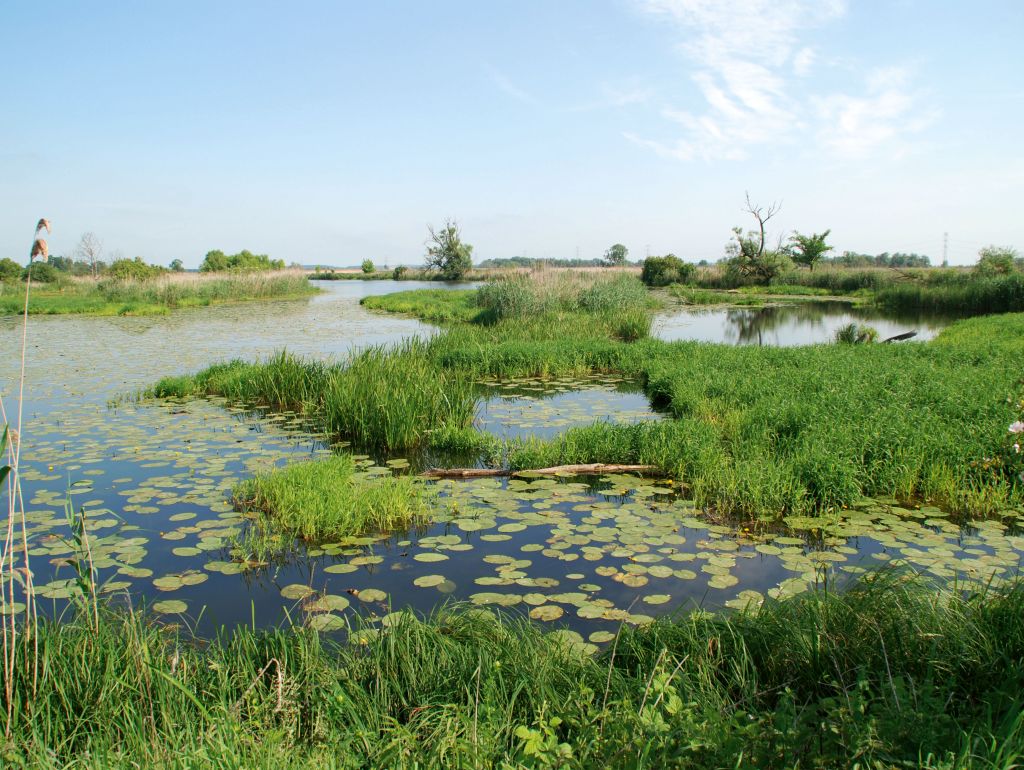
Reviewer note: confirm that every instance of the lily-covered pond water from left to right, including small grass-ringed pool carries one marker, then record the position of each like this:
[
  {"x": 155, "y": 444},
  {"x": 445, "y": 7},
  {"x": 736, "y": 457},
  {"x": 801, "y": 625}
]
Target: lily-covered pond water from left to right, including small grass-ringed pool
[{"x": 155, "y": 479}]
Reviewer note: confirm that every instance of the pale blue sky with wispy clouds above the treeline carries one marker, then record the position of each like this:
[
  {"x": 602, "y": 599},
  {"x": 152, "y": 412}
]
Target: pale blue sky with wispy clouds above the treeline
[{"x": 330, "y": 133}]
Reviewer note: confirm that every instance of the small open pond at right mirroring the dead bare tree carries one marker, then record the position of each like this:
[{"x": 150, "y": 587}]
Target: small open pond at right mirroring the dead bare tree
[{"x": 800, "y": 324}]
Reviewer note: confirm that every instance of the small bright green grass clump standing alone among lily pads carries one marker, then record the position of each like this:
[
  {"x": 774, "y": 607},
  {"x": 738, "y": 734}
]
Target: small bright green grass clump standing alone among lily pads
[{"x": 328, "y": 498}]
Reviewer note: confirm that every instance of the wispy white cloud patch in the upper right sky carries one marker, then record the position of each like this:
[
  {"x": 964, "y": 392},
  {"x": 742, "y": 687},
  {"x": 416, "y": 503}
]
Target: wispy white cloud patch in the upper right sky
[{"x": 752, "y": 59}]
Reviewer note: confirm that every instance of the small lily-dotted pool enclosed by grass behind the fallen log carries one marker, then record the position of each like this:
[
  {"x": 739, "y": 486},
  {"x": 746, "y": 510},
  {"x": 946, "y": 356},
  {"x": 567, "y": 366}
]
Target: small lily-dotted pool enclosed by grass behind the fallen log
[{"x": 519, "y": 409}]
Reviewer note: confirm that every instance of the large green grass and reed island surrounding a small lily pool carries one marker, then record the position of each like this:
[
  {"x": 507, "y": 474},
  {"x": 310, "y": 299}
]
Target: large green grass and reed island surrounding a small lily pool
[{"x": 755, "y": 433}]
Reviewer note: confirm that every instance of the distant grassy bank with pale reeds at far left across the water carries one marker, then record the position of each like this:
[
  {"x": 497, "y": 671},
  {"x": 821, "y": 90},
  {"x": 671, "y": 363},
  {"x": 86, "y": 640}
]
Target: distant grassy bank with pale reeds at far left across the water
[{"x": 154, "y": 296}]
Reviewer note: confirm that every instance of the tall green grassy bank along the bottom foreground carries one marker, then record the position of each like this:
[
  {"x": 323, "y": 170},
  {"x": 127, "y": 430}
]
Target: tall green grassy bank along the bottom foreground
[{"x": 887, "y": 674}]
